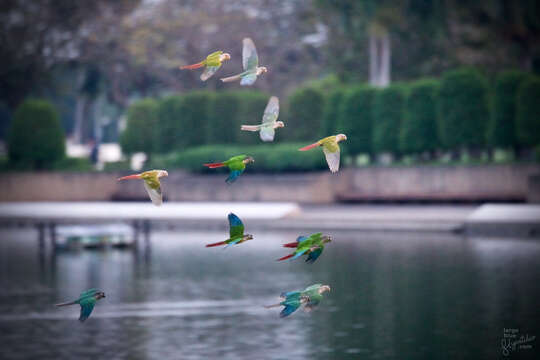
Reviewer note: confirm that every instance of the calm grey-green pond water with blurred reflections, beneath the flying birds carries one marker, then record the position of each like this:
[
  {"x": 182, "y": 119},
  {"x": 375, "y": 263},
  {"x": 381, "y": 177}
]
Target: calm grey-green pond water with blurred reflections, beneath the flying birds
[{"x": 406, "y": 296}]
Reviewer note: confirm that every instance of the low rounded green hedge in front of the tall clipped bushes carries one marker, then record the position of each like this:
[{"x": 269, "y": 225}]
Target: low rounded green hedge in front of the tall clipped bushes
[{"x": 268, "y": 158}]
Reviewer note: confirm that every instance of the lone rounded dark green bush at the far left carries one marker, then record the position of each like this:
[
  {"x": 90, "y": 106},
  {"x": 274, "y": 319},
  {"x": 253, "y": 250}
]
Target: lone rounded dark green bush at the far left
[{"x": 36, "y": 139}]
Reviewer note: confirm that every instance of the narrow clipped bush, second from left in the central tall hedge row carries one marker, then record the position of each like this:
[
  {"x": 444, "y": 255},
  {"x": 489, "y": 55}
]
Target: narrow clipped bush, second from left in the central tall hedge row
[{"x": 168, "y": 127}]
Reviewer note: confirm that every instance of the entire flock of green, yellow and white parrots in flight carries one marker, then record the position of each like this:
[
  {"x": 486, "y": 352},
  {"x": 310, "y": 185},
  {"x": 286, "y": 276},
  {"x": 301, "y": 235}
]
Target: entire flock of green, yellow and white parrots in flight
[{"x": 312, "y": 246}]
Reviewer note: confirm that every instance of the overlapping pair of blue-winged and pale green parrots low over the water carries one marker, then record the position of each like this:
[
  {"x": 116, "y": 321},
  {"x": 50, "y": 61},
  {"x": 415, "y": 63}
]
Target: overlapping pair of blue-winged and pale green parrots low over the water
[{"x": 308, "y": 298}]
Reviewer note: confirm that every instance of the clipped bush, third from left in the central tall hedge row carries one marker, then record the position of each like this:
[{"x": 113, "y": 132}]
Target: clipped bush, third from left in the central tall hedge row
[{"x": 193, "y": 119}]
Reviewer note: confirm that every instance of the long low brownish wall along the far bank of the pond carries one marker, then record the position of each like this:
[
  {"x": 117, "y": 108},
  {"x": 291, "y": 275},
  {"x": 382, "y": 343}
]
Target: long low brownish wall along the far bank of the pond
[{"x": 444, "y": 183}]
